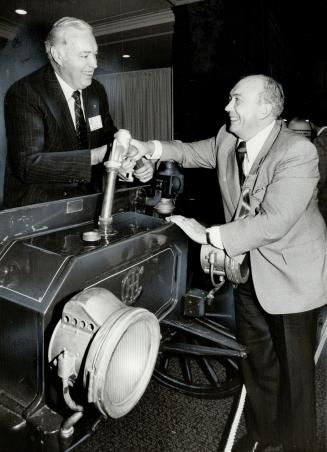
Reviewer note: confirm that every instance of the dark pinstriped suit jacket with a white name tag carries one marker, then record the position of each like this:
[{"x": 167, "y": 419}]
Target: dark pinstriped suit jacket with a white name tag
[{"x": 43, "y": 161}]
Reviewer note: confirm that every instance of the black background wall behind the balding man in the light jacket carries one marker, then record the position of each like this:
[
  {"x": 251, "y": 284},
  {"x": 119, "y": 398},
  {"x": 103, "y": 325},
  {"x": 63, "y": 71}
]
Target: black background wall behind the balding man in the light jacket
[{"x": 216, "y": 42}]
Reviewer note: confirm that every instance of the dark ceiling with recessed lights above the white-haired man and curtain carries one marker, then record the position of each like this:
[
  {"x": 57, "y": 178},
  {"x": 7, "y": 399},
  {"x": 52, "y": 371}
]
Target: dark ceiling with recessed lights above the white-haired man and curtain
[{"x": 141, "y": 28}]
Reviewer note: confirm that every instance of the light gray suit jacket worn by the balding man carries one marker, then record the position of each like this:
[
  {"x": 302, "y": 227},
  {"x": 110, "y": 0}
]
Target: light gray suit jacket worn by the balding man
[{"x": 284, "y": 230}]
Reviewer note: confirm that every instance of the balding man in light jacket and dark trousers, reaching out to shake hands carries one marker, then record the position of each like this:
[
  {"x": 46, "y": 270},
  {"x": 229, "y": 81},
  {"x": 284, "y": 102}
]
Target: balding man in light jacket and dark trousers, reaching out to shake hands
[{"x": 284, "y": 234}]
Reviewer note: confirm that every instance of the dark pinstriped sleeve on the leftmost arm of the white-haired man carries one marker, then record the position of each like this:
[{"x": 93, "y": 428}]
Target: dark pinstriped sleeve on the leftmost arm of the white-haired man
[{"x": 29, "y": 134}]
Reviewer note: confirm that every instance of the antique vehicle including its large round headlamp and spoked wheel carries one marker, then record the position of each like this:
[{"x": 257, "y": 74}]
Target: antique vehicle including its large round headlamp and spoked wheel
[{"x": 62, "y": 355}]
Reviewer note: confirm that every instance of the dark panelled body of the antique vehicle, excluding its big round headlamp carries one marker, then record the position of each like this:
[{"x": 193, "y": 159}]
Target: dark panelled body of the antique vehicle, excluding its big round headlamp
[{"x": 44, "y": 262}]
